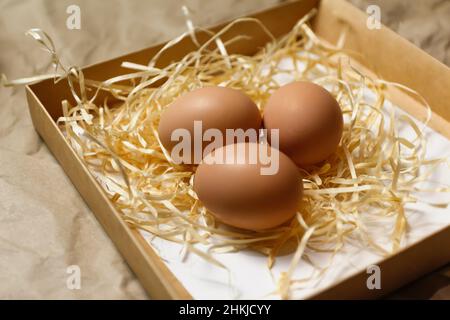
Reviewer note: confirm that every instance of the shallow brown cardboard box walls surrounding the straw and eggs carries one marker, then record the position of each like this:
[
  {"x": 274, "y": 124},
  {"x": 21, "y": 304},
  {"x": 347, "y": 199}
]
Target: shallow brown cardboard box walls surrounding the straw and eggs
[{"x": 399, "y": 61}]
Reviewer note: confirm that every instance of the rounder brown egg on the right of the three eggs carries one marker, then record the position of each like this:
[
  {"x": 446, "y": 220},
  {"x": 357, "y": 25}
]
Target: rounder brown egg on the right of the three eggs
[{"x": 309, "y": 120}]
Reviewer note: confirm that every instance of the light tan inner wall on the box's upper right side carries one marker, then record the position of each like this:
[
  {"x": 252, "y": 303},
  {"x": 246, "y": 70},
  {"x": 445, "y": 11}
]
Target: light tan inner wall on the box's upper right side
[{"x": 386, "y": 53}]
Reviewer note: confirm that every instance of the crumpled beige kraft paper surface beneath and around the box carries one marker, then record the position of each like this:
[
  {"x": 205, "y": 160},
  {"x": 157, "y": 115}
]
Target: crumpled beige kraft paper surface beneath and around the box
[{"x": 45, "y": 226}]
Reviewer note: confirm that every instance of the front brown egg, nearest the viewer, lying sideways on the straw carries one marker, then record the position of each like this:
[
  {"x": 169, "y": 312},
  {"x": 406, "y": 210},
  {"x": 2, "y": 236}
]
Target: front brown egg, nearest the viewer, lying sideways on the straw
[{"x": 237, "y": 193}]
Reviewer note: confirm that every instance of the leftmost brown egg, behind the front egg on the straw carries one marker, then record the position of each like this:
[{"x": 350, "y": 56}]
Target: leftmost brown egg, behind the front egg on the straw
[{"x": 216, "y": 107}]
